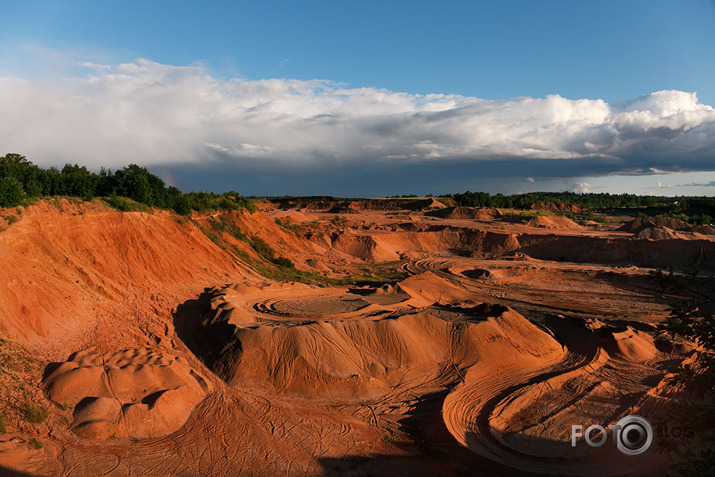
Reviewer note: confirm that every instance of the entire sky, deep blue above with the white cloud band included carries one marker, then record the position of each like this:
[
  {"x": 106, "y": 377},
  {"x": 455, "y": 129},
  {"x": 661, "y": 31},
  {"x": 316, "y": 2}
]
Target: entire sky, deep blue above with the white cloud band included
[{"x": 435, "y": 97}]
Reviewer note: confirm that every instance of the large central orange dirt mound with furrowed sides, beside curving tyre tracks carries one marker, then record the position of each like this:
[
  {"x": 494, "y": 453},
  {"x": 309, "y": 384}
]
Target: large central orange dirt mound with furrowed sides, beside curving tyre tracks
[{"x": 367, "y": 355}]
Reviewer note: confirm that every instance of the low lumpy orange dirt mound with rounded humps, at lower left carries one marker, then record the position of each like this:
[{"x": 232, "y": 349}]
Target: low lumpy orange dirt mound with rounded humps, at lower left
[{"x": 134, "y": 392}]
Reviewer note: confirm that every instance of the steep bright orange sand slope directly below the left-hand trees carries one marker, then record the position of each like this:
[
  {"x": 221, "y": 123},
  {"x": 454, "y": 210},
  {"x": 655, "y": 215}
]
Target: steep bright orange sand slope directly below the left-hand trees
[{"x": 65, "y": 271}]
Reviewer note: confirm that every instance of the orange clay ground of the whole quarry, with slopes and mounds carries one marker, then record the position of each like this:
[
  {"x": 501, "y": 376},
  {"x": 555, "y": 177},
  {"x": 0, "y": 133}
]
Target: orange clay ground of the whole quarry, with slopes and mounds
[{"x": 145, "y": 343}]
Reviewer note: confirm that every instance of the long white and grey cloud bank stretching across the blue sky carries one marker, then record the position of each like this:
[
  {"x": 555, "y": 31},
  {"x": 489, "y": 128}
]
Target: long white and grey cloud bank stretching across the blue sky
[{"x": 155, "y": 114}]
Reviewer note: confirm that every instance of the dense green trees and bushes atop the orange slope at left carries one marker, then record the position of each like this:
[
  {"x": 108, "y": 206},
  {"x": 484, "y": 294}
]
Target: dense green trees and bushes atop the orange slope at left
[{"x": 20, "y": 179}]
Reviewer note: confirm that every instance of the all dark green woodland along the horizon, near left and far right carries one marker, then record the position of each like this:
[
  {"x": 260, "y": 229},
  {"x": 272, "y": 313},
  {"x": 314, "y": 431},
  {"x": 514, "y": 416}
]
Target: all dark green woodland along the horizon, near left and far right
[{"x": 20, "y": 180}]
